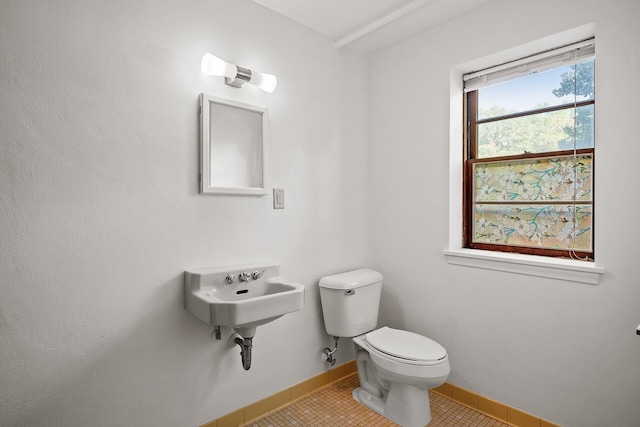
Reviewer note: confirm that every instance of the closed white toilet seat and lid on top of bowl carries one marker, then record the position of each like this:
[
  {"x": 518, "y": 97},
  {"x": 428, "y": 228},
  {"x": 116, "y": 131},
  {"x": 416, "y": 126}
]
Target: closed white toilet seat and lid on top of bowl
[{"x": 405, "y": 347}]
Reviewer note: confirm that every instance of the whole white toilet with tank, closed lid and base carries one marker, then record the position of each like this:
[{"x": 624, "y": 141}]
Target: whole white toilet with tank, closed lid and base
[{"x": 395, "y": 367}]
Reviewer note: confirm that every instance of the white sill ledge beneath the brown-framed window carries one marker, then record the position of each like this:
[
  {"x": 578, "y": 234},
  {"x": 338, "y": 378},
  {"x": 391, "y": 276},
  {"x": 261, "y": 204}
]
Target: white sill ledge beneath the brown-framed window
[{"x": 531, "y": 265}]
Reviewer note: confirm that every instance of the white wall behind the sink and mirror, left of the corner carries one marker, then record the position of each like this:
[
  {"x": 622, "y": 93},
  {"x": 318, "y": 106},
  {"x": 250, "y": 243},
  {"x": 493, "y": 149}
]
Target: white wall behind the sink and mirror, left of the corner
[{"x": 100, "y": 213}]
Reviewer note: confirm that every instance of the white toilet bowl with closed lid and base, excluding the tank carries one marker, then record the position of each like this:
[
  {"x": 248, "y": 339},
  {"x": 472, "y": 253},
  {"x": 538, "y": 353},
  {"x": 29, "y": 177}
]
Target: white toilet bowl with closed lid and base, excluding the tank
[{"x": 395, "y": 368}]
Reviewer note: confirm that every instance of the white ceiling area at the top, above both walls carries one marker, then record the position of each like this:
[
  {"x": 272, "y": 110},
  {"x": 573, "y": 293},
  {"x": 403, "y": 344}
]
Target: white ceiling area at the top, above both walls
[{"x": 371, "y": 25}]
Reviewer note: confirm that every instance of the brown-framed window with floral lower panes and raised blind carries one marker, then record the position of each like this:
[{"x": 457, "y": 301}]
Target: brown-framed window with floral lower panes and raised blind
[{"x": 529, "y": 155}]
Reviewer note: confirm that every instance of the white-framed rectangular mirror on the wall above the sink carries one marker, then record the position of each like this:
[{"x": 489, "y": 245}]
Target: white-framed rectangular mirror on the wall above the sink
[{"x": 232, "y": 147}]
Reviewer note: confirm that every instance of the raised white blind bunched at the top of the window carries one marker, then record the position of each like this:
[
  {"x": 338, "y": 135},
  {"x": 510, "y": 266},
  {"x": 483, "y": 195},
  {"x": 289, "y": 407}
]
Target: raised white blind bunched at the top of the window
[{"x": 567, "y": 55}]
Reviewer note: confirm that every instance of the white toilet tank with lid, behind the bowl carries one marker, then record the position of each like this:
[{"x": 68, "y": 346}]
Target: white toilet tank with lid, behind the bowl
[{"x": 350, "y": 302}]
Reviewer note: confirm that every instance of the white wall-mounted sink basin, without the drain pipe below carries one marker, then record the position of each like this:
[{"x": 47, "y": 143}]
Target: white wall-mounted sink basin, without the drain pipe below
[{"x": 241, "y": 304}]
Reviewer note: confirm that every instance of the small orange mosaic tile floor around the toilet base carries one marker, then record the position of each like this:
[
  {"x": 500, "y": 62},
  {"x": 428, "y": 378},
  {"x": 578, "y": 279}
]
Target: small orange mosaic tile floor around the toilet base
[{"x": 334, "y": 406}]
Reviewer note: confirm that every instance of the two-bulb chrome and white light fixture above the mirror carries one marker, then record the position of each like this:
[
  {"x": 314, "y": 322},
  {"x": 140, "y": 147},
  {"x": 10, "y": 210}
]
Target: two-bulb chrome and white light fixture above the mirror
[{"x": 235, "y": 75}]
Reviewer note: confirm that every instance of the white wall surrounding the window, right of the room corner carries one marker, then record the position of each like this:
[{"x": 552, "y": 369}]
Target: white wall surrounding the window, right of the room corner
[{"x": 563, "y": 351}]
